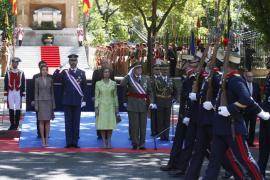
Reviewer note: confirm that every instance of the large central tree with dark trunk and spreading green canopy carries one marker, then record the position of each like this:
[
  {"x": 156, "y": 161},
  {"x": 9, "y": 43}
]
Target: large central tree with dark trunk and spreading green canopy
[{"x": 153, "y": 13}]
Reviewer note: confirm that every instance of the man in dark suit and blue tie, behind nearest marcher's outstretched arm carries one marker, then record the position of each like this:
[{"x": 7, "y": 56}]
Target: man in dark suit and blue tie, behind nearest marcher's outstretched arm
[{"x": 249, "y": 116}]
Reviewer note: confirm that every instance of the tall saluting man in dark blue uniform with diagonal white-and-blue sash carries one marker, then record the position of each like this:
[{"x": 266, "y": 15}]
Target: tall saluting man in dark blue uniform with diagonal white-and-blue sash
[{"x": 74, "y": 86}]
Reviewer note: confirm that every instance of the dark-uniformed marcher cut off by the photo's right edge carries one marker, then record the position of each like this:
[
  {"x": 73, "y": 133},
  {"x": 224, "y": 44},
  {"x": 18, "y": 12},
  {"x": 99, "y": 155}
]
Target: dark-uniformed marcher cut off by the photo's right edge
[{"x": 264, "y": 136}]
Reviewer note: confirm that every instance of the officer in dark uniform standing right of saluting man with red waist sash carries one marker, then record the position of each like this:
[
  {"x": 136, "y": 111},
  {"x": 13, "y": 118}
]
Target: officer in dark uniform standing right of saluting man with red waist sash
[{"x": 165, "y": 95}]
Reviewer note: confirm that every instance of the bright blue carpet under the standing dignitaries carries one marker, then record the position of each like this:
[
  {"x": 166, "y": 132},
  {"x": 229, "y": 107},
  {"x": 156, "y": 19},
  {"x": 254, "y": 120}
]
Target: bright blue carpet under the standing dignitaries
[{"x": 88, "y": 138}]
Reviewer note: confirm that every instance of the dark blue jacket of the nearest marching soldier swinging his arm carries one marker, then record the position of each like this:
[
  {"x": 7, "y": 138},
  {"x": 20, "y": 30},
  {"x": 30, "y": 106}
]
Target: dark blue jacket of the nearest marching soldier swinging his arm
[{"x": 236, "y": 92}]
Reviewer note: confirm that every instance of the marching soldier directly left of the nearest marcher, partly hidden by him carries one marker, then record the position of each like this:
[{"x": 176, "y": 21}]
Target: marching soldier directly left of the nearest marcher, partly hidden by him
[{"x": 204, "y": 129}]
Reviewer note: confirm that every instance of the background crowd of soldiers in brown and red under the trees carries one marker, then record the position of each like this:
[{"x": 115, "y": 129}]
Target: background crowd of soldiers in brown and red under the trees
[{"x": 122, "y": 55}]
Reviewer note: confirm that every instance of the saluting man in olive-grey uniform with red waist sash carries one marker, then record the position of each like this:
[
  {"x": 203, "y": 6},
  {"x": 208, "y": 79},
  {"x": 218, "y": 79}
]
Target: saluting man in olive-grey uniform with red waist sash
[{"x": 137, "y": 93}]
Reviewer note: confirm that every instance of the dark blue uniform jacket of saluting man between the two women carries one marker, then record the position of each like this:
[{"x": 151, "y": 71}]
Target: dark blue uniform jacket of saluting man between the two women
[{"x": 70, "y": 94}]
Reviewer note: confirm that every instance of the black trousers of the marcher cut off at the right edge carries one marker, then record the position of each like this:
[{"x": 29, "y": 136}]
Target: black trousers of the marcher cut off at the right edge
[{"x": 264, "y": 148}]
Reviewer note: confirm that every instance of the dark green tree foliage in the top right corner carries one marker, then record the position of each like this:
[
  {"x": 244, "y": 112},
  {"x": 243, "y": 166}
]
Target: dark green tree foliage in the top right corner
[{"x": 257, "y": 16}]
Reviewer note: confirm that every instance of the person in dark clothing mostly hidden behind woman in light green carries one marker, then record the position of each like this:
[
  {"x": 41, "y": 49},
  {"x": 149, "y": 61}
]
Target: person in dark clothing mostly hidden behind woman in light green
[{"x": 97, "y": 76}]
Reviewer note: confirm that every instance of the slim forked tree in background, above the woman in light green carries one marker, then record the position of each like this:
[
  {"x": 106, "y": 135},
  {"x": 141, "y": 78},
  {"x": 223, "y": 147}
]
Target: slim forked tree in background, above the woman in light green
[{"x": 106, "y": 11}]
